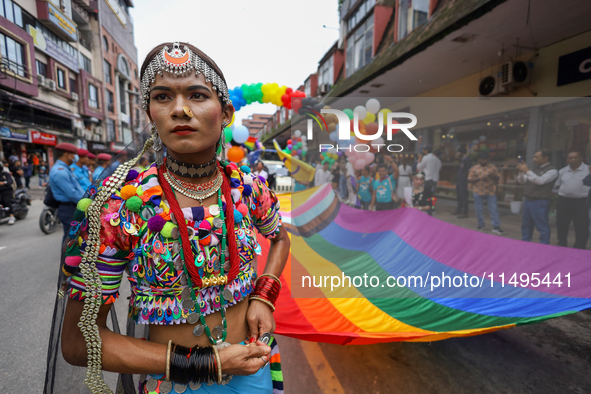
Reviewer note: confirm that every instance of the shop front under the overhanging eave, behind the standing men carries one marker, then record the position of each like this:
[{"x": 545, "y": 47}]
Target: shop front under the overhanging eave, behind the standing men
[{"x": 508, "y": 136}]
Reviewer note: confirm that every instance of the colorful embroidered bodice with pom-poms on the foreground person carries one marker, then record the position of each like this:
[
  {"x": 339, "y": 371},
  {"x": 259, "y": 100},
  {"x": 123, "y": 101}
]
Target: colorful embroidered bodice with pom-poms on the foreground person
[{"x": 139, "y": 235}]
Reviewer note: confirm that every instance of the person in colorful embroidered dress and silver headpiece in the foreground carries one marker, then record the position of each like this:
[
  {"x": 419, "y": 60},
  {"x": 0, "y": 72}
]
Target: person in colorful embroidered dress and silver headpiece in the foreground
[{"x": 184, "y": 230}]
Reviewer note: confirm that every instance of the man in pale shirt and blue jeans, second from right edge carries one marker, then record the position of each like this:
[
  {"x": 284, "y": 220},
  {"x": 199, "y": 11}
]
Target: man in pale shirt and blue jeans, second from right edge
[{"x": 537, "y": 191}]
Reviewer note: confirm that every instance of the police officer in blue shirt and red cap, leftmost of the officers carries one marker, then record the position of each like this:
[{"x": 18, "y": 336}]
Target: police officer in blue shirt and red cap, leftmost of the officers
[{"x": 63, "y": 183}]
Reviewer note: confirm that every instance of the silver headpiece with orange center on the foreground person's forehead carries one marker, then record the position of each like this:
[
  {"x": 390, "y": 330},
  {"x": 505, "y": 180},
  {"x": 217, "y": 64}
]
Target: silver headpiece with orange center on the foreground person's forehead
[{"x": 180, "y": 62}]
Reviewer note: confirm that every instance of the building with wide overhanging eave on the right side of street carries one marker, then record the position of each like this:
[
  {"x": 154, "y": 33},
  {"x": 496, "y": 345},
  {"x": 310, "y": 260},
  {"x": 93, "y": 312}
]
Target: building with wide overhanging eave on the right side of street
[{"x": 484, "y": 49}]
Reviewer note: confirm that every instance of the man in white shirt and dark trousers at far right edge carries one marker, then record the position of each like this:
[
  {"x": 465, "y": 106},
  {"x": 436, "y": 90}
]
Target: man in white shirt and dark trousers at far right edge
[{"x": 572, "y": 201}]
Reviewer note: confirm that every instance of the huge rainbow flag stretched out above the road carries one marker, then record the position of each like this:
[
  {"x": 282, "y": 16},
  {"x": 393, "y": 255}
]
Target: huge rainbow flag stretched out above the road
[{"x": 332, "y": 239}]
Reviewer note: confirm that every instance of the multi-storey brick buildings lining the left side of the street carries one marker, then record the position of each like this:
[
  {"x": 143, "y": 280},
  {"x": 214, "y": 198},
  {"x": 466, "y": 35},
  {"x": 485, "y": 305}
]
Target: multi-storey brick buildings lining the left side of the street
[{"x": 52, "y": 85}]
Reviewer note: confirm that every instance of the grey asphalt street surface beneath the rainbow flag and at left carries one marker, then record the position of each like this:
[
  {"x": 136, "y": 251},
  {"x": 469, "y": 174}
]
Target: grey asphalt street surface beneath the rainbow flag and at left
[{"x": 551, "y": 357}]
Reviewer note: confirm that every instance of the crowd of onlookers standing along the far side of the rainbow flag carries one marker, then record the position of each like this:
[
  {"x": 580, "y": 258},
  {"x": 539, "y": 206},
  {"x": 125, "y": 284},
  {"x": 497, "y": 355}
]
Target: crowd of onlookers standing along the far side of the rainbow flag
[{"x": 404, "y": 180}]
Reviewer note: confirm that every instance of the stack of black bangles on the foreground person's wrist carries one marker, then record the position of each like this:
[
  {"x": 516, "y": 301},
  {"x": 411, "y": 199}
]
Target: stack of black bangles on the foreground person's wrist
[{"x": 193, "y": 365}]
